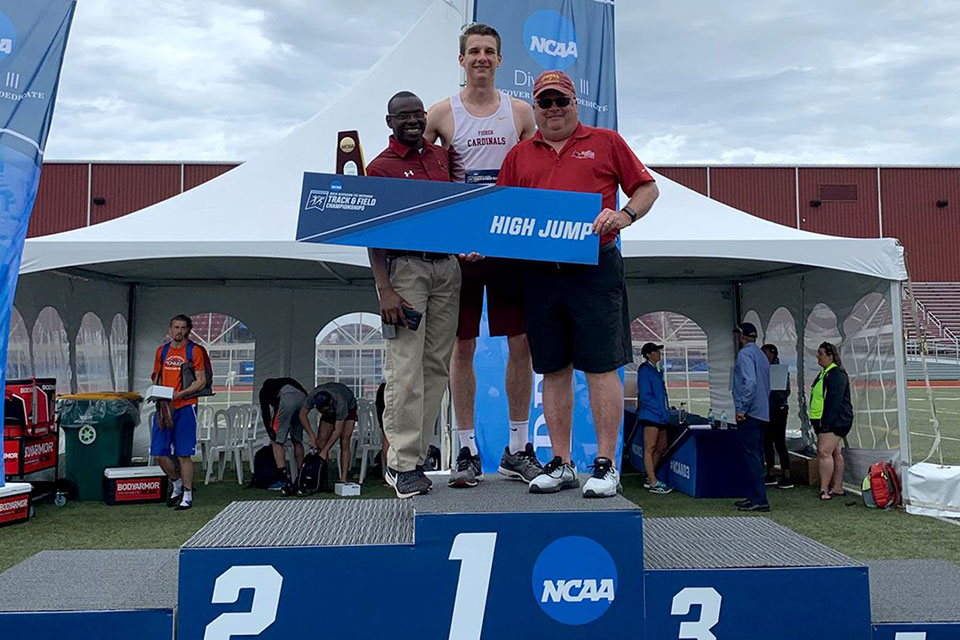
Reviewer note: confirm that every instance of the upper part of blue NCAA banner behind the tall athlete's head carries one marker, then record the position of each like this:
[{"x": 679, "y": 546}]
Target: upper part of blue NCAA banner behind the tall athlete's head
[{"x": 573, "y": 36}]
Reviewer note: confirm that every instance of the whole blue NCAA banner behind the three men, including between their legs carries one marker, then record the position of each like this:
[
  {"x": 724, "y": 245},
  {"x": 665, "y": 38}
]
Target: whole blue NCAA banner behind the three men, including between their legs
[{"x": 576, "y": 37}]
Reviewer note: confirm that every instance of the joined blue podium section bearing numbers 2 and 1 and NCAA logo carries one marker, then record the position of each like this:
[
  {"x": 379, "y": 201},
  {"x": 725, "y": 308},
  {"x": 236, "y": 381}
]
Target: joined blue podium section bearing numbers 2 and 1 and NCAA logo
[{"x": 491, "y": 562}]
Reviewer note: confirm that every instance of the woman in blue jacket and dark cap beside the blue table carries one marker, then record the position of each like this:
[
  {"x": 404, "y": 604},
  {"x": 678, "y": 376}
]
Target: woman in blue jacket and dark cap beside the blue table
[{"x": 654, "y": 413}]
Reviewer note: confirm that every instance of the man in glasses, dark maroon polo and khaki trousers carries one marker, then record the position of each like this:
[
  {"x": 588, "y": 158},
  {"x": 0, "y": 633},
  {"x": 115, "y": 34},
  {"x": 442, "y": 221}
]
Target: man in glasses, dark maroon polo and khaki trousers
[{"x": 416, "y": 364}]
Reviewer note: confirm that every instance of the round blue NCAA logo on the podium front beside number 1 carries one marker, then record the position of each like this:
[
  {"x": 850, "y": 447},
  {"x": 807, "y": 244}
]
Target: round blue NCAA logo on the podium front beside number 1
[{"x": 574, "y": 580}]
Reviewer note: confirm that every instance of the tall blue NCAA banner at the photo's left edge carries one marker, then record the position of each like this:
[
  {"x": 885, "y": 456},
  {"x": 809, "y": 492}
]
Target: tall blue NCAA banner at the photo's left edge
[{"x": 33, "y": 37}]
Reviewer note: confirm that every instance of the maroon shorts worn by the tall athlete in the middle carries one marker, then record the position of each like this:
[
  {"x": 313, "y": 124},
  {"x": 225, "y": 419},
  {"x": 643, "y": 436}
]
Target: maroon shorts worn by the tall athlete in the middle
[{"x": 505, "y": 297}]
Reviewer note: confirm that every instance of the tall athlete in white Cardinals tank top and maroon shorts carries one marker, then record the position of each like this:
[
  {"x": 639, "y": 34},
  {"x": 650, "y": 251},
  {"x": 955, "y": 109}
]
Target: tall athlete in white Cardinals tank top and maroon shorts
[{"x": 480, "y": 125}]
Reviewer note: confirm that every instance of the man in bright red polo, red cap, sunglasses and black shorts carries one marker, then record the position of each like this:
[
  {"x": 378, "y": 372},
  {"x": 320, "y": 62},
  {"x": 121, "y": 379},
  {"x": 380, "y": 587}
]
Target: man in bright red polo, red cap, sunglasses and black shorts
[{"x": 577, "y": 315}]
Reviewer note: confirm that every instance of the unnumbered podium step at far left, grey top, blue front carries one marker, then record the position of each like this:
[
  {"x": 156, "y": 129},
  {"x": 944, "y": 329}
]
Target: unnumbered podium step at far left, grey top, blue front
[{"x": 90, "y": 595}]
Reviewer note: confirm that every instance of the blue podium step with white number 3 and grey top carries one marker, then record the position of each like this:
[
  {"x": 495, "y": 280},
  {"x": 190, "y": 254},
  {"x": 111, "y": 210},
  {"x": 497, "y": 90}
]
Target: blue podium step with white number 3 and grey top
[{"x": 748, "y": 578}]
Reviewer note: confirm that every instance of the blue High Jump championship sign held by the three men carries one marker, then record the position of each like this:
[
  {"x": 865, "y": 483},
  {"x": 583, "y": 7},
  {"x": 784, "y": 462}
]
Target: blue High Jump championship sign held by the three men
[{"x": 445, "y": 217}]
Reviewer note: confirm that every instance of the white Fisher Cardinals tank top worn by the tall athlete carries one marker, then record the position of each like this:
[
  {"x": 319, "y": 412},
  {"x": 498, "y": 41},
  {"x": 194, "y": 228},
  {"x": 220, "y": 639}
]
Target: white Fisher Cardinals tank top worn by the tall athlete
[{"x": 482, "y": 142}]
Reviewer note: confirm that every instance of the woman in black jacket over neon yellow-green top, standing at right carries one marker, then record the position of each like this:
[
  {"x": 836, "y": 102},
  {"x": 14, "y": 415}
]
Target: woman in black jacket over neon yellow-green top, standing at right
[{"x": 831, "y": 414}]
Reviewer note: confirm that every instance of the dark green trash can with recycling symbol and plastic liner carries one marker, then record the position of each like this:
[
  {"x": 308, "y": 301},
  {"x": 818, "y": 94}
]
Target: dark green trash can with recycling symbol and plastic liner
[{"x": 98, "y": 430}]
